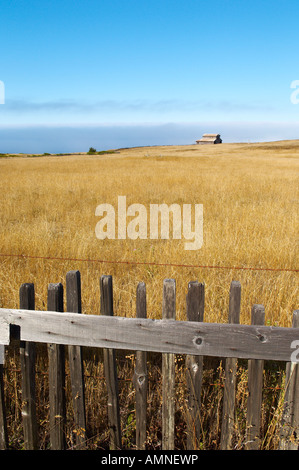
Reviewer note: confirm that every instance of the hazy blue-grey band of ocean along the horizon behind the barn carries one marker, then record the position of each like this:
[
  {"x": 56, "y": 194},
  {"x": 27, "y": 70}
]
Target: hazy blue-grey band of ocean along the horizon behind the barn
[{"x": 71, "y": 139}]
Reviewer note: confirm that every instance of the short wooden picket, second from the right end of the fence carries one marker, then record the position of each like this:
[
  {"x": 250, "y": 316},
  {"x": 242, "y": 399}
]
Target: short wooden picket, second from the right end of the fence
[{"x": 255, "y": 388}]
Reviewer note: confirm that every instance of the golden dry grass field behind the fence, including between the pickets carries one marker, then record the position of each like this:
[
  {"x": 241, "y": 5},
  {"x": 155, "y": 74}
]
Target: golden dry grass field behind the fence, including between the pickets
[{"x": 250, "y": 199}]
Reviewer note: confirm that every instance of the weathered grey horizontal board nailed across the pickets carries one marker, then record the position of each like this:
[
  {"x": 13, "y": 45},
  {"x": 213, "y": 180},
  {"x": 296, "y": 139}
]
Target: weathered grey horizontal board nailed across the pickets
[{"x": 166, "y": 336}]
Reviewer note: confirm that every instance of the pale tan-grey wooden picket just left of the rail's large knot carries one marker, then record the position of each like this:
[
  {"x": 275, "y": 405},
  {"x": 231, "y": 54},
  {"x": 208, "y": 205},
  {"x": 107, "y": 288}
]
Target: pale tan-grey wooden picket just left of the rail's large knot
[{"x": 168, "y": 370}]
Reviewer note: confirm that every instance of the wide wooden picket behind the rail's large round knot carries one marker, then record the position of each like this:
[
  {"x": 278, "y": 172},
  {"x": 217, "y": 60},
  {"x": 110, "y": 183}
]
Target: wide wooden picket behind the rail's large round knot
[{"x": 194, "y": 367}]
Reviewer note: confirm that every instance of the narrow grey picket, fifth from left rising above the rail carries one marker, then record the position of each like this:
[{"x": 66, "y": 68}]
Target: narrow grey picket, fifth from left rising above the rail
[{"x": 140, "y": 375}]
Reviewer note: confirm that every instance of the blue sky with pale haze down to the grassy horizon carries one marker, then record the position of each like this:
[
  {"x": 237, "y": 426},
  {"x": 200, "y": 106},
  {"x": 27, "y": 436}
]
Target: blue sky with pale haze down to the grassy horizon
[{"x": 144, "y": 68}]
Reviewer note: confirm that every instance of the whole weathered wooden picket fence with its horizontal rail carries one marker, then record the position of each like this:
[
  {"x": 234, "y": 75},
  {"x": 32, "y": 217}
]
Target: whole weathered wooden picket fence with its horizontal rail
[{"x": 193, "y": 338}]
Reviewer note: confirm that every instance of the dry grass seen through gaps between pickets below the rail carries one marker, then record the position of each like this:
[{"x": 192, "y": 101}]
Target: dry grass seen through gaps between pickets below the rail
[{"x": 96, "y": 404}]
